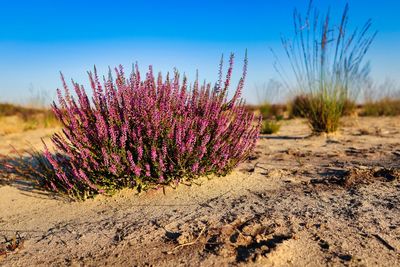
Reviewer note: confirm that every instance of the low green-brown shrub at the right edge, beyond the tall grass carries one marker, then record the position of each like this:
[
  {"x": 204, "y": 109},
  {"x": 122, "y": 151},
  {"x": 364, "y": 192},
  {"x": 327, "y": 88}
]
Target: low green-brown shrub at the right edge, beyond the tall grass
[{"x": 383, "y": 107}]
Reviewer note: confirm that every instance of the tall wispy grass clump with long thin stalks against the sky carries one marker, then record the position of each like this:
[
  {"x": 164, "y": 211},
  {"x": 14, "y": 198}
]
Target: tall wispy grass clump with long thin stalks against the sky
[{"x": 326, "y": 61}]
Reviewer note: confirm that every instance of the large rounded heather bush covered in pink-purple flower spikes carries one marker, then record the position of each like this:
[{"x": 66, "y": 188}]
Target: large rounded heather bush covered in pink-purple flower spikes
[{"x": 138, "y": 132}]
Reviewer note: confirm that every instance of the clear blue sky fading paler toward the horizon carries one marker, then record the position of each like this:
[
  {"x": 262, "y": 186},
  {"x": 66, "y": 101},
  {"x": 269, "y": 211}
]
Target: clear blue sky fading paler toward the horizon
[{"x": 40, "y": 38}]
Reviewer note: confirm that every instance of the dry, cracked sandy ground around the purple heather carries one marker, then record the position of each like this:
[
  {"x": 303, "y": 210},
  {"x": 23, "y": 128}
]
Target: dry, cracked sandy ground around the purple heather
[{"x": 299, "y": 200}]
